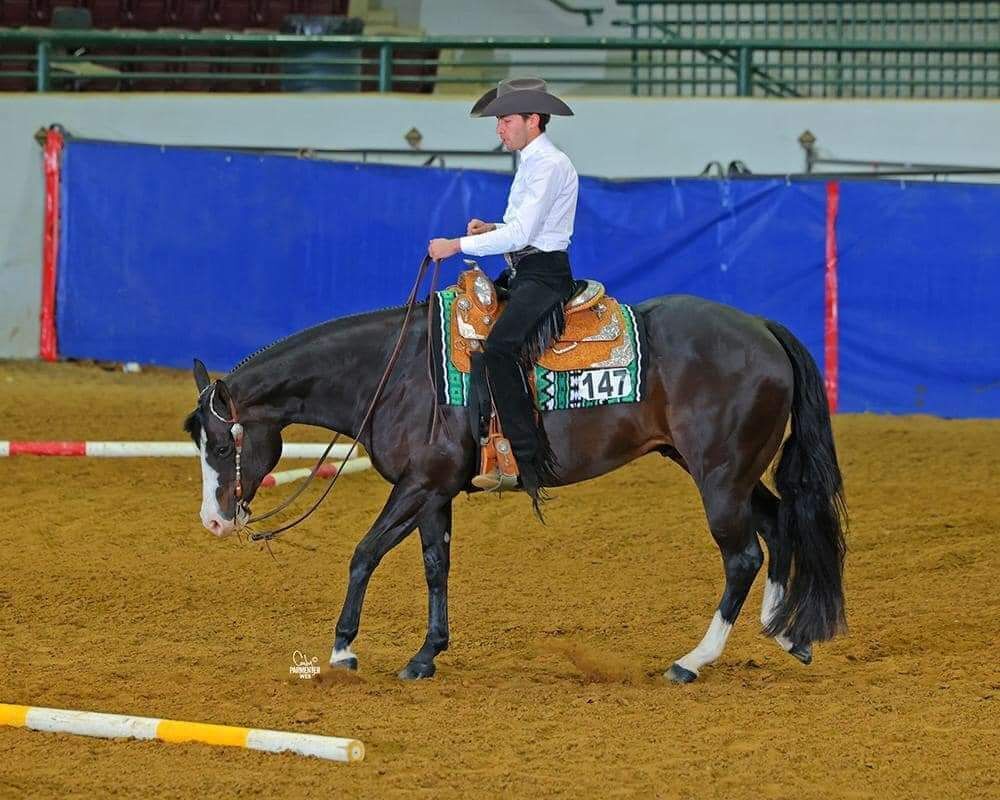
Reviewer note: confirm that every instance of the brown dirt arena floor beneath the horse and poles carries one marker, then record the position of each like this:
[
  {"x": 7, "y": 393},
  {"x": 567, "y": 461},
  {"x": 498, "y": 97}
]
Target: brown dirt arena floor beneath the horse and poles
[{"x": 113, "y": 598}]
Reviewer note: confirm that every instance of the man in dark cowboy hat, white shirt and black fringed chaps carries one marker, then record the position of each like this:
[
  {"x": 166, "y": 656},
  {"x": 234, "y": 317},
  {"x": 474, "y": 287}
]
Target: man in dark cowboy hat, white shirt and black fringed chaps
[{"x": 533, "y": 237}]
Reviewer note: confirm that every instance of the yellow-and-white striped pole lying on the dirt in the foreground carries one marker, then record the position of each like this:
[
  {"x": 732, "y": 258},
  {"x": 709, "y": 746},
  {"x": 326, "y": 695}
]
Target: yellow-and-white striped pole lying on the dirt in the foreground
[{"x": 114, "y": 726}]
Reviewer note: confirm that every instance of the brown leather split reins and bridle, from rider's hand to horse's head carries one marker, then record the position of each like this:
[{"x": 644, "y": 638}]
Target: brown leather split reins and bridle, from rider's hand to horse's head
[{"x": 236, "y": 428}]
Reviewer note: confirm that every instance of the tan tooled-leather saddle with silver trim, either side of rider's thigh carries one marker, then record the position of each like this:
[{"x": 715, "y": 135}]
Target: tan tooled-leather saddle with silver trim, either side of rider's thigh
[{"x": 596, "y": 333}]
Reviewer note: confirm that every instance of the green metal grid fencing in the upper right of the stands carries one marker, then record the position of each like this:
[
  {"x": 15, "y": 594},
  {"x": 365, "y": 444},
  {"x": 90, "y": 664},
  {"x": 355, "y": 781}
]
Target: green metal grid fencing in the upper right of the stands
[{"x": 844, "y": 73}]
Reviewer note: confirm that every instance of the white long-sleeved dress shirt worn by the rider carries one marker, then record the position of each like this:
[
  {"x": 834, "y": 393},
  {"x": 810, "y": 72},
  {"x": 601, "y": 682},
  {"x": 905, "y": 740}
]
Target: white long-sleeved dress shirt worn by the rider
[{"x": 541, "y": 206}]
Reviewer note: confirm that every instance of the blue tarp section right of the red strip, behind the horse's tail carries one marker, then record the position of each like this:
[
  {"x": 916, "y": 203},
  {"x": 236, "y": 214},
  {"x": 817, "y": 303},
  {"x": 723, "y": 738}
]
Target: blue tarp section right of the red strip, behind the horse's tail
[{"x": 920, "y": 298}]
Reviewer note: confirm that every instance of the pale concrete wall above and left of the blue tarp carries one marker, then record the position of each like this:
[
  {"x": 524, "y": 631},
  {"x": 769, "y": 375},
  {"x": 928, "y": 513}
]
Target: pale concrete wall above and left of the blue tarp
[{"x": 610, "y": 137}]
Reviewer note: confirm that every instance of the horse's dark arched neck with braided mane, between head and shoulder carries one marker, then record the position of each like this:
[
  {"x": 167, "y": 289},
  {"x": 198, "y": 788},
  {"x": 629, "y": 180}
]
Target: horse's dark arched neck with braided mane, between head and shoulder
[{"x": 327, "y": 379}]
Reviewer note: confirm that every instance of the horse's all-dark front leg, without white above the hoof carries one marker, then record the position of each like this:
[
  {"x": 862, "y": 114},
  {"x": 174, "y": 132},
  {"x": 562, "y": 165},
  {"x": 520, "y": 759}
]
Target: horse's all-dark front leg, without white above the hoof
[{"x": 435, "y": 538}]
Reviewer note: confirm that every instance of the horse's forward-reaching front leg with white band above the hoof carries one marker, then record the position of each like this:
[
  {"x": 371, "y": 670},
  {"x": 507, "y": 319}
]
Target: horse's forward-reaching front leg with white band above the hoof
[{"x": 396, "y": 521}]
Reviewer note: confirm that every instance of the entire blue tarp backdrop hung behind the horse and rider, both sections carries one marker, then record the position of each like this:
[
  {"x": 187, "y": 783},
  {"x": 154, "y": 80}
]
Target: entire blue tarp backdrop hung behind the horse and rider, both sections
[{"x": 168, "y": 253}]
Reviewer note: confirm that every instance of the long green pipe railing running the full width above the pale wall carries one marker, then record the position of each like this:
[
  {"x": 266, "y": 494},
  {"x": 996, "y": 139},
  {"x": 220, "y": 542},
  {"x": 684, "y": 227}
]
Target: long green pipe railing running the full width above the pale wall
[{"x": 130, "y": 61}]
